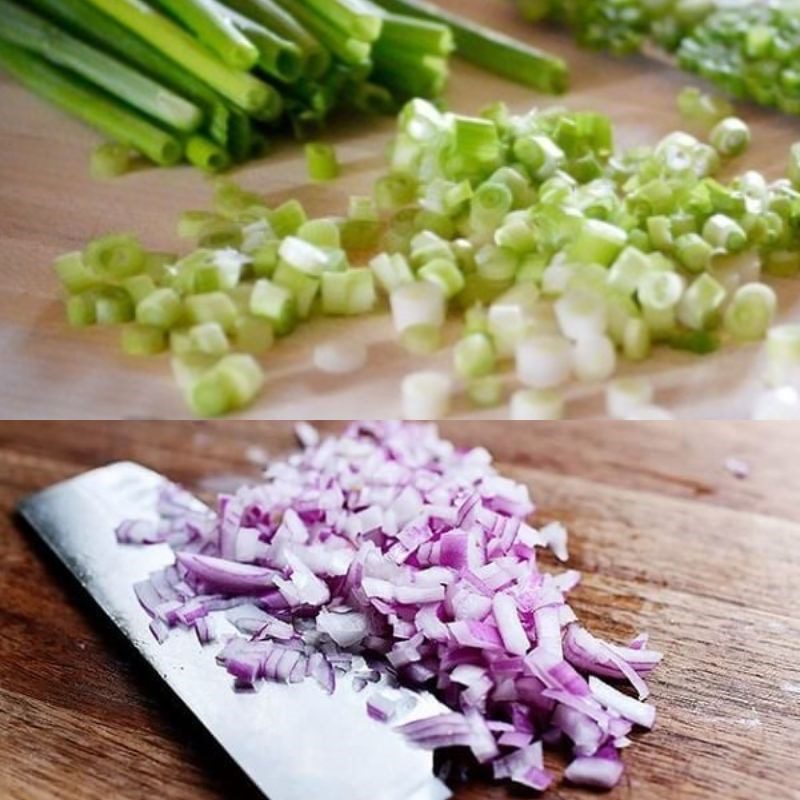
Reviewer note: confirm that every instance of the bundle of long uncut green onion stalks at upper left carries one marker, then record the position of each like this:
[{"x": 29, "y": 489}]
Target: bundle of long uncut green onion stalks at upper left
[{"x": 204, "y": 80}]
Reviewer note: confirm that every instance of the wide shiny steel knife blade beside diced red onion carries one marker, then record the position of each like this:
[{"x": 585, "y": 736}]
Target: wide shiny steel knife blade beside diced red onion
[{"x": 295, "y": 742}]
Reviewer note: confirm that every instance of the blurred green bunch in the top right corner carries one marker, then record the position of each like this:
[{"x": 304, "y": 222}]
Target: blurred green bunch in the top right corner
[{"x": 748, "y": 48}]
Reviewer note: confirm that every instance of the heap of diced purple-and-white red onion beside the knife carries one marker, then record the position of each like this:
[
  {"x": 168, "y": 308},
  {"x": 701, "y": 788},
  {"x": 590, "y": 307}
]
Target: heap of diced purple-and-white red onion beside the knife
[{"x": 387, "y": 543}]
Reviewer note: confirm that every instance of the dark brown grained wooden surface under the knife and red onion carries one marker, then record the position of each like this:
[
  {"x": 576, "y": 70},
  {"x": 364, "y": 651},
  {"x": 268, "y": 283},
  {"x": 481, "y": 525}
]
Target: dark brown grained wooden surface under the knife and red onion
[{"x": 668, "y": 540}]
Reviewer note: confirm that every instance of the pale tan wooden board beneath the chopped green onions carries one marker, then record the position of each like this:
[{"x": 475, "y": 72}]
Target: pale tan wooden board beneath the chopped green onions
[{"x": 49, "y": 205}]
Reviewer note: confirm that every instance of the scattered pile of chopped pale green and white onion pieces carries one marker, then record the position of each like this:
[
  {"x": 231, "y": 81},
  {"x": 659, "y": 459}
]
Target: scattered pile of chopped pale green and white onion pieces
[{"x": 563, "y": 258}]
